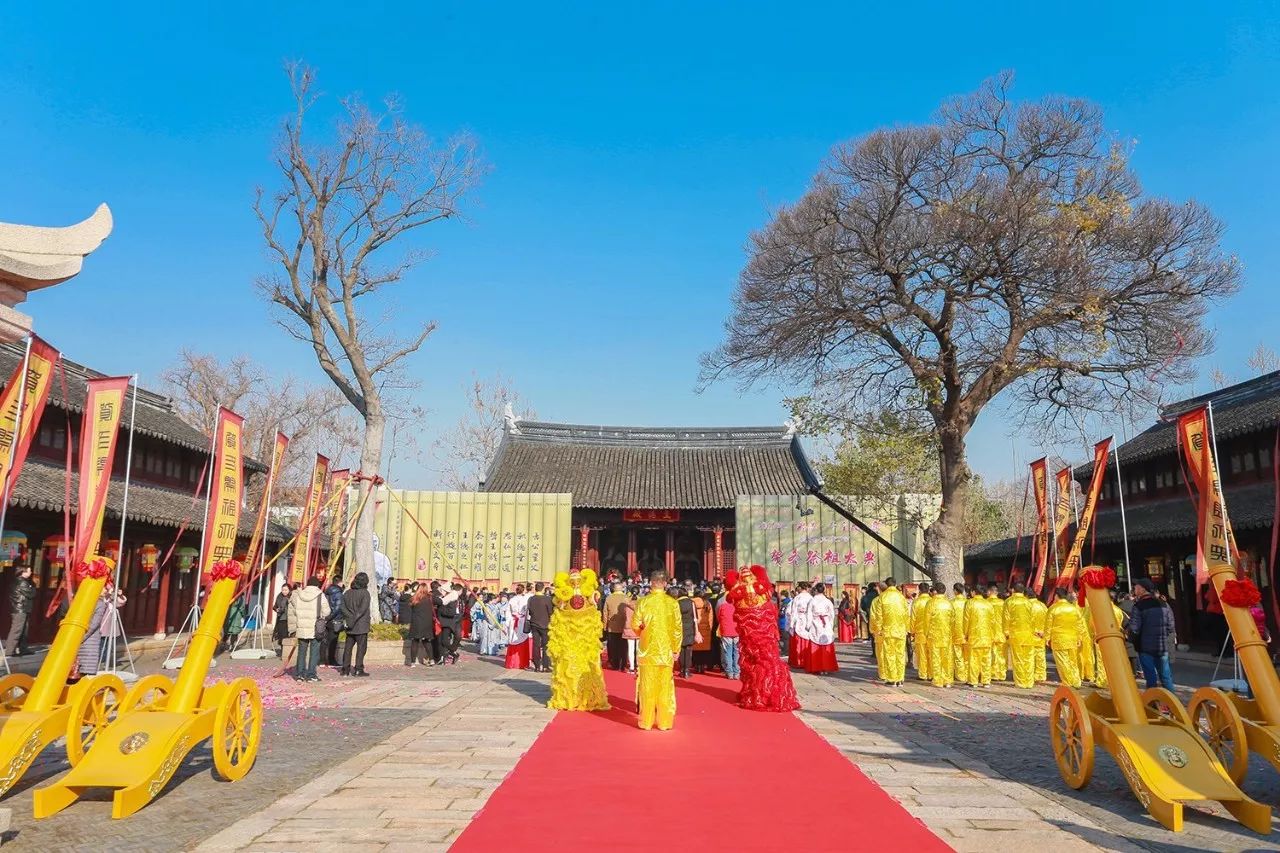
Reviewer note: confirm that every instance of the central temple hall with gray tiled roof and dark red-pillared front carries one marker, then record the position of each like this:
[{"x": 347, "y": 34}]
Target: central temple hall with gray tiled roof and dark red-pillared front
[{"x": 652, "y": 499}]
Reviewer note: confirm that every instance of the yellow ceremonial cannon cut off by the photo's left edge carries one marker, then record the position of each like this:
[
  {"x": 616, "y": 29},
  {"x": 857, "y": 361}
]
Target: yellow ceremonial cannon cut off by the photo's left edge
[{"x": 39, "y": 711}]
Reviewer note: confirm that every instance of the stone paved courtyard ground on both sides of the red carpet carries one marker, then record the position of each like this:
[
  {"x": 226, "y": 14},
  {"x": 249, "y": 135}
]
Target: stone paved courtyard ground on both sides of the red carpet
[{"x": 404, "y": 760}]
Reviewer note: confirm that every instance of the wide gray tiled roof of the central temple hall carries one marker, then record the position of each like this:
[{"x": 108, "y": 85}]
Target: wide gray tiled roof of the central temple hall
[{"x": 651, "y": 468}]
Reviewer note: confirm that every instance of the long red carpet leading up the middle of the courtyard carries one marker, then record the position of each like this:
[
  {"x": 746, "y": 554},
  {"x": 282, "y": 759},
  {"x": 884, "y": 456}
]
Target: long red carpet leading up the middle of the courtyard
[{"x": 724, "y": 779}]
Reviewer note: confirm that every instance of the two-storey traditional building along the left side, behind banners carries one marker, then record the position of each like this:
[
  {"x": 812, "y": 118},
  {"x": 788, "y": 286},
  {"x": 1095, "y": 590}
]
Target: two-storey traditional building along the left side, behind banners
[{"x": 164, "y": 518}]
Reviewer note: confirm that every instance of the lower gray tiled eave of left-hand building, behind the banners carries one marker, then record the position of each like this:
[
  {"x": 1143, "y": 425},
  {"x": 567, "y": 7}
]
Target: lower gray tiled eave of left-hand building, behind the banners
[{"x": 44, "y": 487}]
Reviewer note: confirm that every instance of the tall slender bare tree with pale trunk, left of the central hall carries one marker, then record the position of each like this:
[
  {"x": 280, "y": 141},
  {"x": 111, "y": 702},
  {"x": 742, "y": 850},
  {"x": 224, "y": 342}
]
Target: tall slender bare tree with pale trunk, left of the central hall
[{"x": 340, "y": 232}]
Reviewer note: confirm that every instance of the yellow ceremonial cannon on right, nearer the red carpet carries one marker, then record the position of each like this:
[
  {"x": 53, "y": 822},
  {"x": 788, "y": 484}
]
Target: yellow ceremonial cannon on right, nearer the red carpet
[{"x": 1149, "y": 735}]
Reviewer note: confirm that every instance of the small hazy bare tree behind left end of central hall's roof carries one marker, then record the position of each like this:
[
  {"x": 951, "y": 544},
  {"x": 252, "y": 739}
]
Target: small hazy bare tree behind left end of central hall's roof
[{"x": 465, "y": 451}]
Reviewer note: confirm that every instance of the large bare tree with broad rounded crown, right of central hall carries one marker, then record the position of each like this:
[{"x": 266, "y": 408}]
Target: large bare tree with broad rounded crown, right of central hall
[{"x": 1004, "y": 248}]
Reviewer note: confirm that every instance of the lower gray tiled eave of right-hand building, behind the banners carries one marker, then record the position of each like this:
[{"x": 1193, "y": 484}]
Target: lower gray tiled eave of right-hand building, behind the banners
[{"x": 1250, "y": 507}]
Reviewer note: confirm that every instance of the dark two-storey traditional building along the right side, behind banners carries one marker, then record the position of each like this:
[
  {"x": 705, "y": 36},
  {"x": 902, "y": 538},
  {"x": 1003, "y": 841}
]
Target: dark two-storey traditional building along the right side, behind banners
[{"x": 1159, "y": 513}]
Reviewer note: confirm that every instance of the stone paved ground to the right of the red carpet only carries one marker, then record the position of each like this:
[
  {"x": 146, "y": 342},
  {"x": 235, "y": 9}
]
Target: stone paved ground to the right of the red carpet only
[{"x": 981, "y": 760}]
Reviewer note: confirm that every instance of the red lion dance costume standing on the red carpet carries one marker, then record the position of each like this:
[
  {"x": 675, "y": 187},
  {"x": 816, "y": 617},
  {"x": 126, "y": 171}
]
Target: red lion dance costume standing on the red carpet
[{"x": 766, "y": 678}]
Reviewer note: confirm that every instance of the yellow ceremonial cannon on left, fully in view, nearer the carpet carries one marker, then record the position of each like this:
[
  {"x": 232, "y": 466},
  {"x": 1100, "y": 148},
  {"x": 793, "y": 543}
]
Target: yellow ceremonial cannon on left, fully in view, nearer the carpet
[{"x": 159, "y": 724}]
